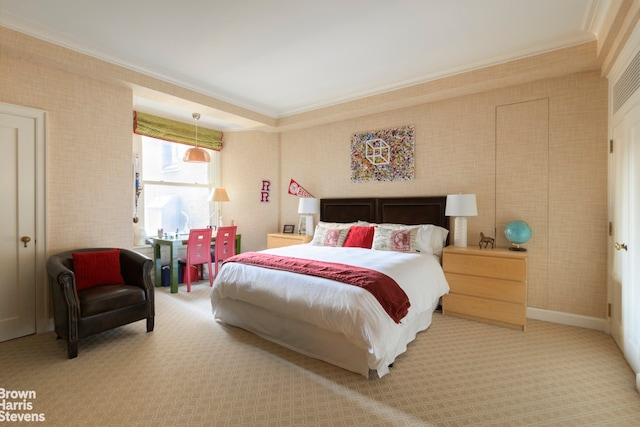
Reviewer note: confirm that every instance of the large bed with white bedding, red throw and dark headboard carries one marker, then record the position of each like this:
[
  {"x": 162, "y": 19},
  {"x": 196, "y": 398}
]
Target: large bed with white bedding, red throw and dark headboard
[{"x": 347, "y": 326}]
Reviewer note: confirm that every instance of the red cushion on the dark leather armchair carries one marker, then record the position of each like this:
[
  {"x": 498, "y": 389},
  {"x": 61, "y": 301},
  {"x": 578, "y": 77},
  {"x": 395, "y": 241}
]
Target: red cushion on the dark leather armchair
[{"x": 97, "y": 268}]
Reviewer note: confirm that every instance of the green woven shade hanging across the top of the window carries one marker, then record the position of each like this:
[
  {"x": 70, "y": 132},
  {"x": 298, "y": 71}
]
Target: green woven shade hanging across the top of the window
[{"x": 171, "y": 130}]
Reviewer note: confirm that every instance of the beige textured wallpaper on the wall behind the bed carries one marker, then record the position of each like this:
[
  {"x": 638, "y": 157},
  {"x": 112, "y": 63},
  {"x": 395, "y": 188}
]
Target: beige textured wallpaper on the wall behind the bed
[{"x": 558, "y": 186}]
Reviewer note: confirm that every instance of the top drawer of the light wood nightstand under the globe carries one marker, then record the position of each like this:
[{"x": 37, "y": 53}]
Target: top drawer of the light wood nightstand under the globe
[{"x": 486, "y": 266}]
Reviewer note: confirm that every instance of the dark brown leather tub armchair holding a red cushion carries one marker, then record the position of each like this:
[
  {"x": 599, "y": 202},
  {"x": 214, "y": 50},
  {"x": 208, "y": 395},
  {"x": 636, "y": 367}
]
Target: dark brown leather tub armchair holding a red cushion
[{"x": 80, "y": 313}]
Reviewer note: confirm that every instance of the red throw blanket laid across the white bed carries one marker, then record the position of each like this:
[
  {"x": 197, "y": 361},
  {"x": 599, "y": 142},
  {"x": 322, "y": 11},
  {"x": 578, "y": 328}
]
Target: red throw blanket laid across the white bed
[{"x": 390, "y": 295}]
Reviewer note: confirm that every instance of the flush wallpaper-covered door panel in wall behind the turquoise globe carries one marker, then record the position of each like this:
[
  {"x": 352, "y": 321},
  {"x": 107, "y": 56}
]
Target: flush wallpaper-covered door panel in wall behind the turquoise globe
[{"x": 522, "y": 185}]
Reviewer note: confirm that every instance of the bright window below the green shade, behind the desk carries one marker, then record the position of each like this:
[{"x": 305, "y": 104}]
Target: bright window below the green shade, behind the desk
[{"x": 175, "y": 193}]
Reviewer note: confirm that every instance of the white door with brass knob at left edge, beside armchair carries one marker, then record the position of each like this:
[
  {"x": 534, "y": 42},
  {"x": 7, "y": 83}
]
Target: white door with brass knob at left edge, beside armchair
[{"x": 18, "y": 226}]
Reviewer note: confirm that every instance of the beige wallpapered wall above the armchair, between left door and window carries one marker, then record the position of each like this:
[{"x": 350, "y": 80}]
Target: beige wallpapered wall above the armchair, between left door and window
[{"x": 89, "y": 191}]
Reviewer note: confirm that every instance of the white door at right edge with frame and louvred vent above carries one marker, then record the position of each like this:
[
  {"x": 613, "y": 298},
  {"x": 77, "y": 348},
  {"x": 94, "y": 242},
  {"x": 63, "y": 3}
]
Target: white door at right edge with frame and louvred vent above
[{"x": 624, "y": 202}]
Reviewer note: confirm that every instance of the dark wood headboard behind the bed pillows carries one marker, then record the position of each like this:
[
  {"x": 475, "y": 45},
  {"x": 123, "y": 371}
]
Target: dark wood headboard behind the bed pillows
[{"x": 396, "y": 210}]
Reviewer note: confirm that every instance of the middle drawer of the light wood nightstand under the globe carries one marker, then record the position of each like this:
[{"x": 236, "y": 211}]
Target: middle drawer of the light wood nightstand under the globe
[{"x": 485, "y": 287}]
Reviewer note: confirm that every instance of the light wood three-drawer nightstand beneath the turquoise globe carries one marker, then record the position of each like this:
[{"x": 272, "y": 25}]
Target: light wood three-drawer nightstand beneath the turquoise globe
[{"x": 488, "y": 285}]
